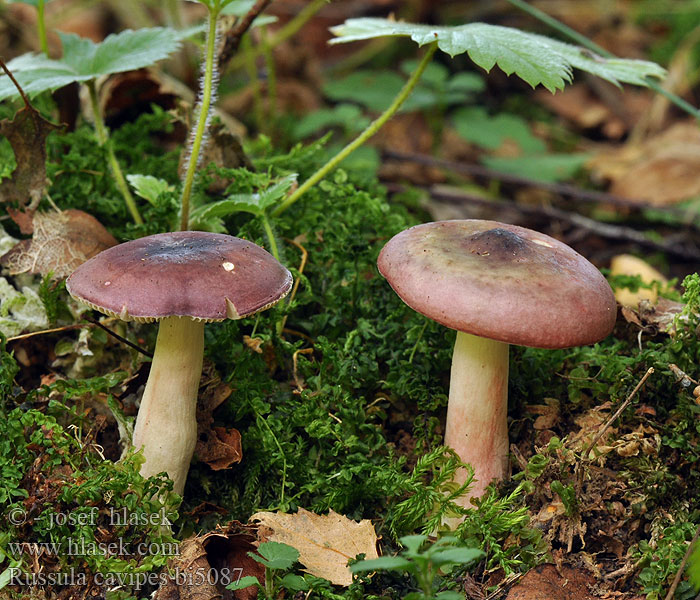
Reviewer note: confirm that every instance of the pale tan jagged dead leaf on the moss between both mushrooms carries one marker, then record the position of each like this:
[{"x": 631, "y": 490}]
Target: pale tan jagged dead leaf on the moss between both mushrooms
[{"x": 325, "y": 542}]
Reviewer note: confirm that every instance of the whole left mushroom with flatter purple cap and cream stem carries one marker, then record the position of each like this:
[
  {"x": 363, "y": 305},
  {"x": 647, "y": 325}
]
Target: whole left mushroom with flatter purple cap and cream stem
[{"x": 182, "y": 280}]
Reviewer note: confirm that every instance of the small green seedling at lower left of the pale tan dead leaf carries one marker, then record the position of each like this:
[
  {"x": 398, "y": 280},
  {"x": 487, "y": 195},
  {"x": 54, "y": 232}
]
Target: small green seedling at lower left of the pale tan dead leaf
[{"x": 276, "y": 558}]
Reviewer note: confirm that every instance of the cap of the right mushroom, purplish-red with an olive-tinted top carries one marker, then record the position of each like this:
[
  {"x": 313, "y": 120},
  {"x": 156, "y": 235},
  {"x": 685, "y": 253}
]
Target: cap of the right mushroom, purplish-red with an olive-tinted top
[{"x": 500, "y": 281}]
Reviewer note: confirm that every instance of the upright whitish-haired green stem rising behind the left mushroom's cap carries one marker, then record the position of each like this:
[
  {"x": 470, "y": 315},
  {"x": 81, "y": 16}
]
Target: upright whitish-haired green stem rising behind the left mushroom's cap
[{"x": 202, "y": 121}]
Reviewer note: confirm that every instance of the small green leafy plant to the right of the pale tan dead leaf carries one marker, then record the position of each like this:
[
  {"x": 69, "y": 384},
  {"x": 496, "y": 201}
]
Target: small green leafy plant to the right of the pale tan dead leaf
[{"x": 425, "y": 564}]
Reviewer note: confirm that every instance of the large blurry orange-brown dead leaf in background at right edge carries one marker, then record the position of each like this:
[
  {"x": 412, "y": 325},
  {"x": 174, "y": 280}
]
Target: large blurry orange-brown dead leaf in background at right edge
[{"x": 660, "y": 171}]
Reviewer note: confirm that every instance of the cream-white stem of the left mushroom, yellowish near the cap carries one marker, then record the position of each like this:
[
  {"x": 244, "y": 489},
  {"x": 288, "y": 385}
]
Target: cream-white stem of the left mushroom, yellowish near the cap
[{"x": 166, "y": 426}]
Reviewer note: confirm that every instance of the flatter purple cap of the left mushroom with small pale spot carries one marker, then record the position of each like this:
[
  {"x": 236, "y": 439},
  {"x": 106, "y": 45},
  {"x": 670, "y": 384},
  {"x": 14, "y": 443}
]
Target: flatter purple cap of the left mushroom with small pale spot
[{"x": 204, "y": 276}]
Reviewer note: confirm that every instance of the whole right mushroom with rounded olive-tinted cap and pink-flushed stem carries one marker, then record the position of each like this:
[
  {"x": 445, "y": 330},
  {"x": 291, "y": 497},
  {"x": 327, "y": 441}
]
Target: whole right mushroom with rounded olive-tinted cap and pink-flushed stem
[{"x": 496, "y": 284}]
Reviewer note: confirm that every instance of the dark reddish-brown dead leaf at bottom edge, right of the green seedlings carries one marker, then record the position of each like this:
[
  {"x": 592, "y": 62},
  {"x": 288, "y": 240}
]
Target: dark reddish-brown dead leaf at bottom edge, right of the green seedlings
[{"x": 546, "y": 582}]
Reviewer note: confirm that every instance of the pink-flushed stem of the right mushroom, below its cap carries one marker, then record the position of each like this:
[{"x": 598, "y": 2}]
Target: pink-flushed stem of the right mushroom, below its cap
[{"x": 477, "y": 427}]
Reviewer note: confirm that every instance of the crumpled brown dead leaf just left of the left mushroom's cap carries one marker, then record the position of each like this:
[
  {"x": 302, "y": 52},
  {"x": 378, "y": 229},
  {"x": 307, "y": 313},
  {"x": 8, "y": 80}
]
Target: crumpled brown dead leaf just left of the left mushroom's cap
[{"x": 62, "y": 241}]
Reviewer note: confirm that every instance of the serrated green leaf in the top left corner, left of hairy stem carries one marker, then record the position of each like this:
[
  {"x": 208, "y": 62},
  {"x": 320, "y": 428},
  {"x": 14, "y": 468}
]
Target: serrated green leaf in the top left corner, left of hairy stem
[{"x": 84, "y": 60}]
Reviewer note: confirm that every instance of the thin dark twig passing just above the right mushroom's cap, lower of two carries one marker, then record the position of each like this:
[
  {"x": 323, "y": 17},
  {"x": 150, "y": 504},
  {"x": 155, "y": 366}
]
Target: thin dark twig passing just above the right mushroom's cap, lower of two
[{"x": 606, "y": 230}]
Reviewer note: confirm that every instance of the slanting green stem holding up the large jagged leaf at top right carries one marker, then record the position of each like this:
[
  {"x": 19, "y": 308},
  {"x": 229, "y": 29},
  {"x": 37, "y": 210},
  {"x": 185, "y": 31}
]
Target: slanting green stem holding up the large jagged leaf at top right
[{"x": 371, "y": 129}]
